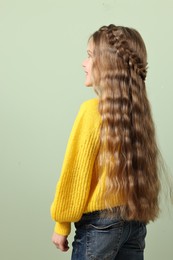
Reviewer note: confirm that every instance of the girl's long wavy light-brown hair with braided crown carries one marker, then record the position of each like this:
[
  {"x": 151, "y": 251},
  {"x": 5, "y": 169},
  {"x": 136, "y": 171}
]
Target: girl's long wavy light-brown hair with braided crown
[{"x": 128, "y": 150}]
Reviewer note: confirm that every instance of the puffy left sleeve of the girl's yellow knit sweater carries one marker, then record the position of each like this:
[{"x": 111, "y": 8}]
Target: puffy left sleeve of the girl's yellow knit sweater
[{"x": 74, "y": 184}]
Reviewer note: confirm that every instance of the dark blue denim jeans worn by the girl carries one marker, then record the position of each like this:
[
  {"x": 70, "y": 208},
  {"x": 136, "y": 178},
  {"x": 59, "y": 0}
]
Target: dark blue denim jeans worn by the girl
[{"x": 106, "y": 238}]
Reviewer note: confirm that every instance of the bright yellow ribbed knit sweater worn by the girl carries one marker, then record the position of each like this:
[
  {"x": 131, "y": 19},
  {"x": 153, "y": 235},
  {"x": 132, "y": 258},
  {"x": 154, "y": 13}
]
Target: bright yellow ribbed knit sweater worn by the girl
[{"x": 78, "y": 190}]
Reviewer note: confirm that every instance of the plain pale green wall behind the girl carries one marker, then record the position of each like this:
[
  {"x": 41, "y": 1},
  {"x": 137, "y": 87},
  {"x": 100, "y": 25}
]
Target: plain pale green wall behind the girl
[{"x": 42, "y": 46}]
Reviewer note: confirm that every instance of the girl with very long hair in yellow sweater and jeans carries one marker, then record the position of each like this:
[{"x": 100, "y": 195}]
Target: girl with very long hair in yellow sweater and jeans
[{"x": 109, "y": 184}]
